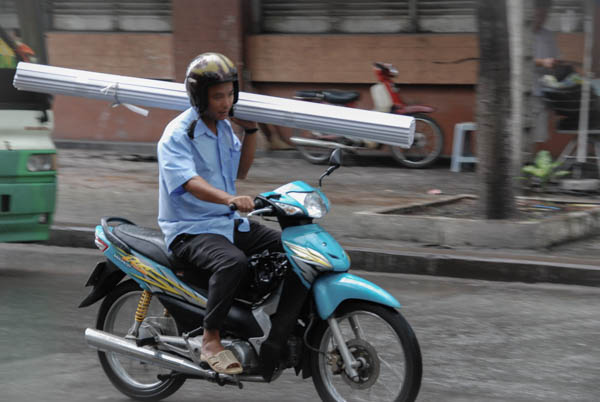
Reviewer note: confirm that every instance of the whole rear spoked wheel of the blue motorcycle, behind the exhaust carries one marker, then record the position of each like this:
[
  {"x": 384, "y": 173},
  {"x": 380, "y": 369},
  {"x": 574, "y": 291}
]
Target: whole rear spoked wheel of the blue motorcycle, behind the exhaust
[{"x": 136, "y": 379}]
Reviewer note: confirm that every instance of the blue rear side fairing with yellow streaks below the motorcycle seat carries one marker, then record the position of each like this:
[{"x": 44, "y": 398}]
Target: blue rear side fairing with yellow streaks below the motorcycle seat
[{"x": 148, "y": 274}]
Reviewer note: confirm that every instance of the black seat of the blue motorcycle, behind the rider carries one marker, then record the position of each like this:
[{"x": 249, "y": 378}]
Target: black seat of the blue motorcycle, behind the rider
[{"x": 148, "y": 242}]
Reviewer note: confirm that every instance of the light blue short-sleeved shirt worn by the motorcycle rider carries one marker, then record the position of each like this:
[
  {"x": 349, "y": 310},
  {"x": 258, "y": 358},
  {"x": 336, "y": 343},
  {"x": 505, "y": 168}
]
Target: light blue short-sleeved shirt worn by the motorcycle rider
[{"x": 215, "y": 158}]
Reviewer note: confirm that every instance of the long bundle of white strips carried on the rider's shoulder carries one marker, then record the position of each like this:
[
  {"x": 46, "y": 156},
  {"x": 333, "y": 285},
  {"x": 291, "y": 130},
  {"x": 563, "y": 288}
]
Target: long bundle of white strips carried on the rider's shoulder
[{"x": 380, "y": 127}]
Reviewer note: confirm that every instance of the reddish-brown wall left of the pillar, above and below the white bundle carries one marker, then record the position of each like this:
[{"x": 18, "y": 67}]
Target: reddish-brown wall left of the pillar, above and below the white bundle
[{"x": 131, "y": 54}]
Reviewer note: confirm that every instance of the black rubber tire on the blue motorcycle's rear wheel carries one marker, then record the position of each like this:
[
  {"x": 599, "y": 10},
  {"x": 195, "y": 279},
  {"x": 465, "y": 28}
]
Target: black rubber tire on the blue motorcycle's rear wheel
[{"x": 111, "y": 365}]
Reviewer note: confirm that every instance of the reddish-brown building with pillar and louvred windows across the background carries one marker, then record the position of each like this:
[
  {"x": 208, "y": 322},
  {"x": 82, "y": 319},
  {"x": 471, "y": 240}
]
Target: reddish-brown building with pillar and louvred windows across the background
[{"x": 280, "y": 46}]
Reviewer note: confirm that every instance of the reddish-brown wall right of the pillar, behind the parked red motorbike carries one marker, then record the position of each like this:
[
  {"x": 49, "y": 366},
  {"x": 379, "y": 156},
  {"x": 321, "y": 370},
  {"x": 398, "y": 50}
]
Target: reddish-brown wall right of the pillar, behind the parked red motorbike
[{"x": 282, "y": 64}]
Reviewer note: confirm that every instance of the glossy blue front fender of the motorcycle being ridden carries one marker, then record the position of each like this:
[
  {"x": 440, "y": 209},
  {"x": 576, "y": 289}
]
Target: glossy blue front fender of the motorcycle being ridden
[{"x": 332, "y": 289}]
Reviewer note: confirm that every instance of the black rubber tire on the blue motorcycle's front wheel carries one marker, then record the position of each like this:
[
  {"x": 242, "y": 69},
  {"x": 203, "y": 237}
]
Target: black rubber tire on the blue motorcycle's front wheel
[{"x": 323, "y": 369}]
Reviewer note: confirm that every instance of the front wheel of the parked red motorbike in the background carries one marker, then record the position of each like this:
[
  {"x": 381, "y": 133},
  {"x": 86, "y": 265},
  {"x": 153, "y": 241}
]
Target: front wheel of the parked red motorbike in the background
[{"x": 427, "y": 145}]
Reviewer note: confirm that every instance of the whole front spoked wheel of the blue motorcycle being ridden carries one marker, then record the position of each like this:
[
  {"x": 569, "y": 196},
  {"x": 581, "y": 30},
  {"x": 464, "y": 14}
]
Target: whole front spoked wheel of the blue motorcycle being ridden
[{"x": 383, "y": 344}]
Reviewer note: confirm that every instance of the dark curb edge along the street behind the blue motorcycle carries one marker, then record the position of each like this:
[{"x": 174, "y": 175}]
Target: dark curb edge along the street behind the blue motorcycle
[{"x": 449, "y": 264}]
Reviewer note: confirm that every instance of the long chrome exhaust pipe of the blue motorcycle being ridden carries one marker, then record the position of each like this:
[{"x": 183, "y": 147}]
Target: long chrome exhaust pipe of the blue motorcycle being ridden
[{"x": 111, "y": 343}]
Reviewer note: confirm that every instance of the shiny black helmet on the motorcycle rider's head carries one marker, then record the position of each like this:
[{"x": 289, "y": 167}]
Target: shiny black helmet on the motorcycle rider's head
[{"x": 205, "y": 70}]
